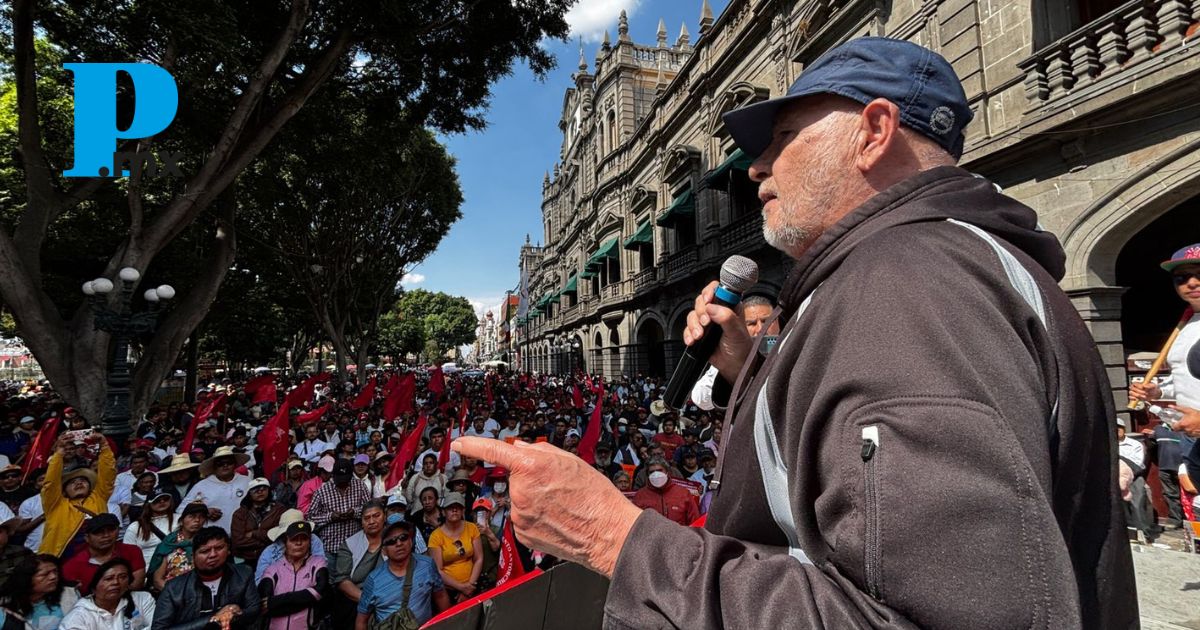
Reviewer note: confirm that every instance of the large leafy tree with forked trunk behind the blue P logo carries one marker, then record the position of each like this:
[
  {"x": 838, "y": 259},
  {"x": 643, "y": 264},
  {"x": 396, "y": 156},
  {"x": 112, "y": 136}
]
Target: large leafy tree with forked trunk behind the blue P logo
[{"x": 245, "y": 70}]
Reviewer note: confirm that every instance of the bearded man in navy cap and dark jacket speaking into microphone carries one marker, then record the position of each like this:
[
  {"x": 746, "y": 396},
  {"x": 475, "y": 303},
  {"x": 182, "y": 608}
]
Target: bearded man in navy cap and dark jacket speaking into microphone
[{"x": 928, "y": 446}]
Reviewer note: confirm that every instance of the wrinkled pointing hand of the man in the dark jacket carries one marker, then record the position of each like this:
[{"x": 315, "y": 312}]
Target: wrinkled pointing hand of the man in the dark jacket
[{"x": 560, "y": 505}]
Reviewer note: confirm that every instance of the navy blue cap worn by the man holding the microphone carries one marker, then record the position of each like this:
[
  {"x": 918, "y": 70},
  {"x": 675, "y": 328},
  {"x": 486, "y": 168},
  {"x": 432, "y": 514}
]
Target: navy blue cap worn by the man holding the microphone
[{"x": 919, "y": 81}]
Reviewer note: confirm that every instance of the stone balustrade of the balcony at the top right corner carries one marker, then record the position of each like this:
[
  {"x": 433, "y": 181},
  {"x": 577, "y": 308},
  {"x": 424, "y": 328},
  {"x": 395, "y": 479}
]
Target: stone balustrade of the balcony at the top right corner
[{"x": 1120, "y": 39}]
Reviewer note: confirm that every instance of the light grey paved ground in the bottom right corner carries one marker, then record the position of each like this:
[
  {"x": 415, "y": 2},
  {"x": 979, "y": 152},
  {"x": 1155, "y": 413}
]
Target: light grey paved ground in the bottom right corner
[{"x": 1168, "y": 586}]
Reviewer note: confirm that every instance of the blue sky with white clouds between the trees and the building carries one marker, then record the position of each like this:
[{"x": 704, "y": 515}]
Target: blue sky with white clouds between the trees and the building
[{"x": 501, "y": 169}]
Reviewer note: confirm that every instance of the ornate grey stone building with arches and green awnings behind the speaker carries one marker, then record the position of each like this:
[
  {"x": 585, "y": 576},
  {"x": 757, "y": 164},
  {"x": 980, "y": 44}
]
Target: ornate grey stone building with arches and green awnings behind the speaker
[{"x": 1085, "y": 110}]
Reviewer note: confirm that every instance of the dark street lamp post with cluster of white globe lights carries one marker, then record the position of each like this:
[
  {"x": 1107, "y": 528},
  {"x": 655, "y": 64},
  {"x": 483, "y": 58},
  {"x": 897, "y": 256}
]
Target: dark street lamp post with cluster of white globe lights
[{"x": 124, "y": 326}]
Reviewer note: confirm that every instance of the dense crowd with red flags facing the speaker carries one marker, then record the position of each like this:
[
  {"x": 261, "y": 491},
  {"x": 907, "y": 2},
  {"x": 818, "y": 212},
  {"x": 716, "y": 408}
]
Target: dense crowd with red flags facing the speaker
[{"x": 187, "y": 524}]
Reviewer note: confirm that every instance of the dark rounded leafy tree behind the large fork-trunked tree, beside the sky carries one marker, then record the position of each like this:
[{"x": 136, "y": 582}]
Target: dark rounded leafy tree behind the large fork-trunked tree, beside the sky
[{"x": 350, "y": 225}]
